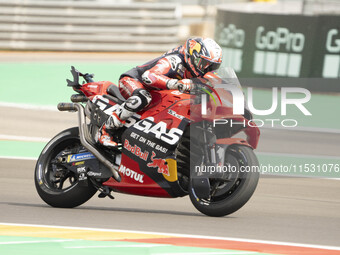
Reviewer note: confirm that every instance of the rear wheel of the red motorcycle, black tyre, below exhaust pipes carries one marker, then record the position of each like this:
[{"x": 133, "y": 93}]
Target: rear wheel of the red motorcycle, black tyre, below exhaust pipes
[{"x": 55, "y": 184}]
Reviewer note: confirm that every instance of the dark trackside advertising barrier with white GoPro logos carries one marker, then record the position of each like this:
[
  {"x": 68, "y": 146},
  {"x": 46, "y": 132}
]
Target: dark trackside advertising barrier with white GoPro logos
[{"x": 294, "y": 46}]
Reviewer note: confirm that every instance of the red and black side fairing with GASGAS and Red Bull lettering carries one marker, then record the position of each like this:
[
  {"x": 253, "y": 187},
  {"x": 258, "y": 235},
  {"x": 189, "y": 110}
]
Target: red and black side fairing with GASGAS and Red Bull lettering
[{"x": 155, "y": 137}]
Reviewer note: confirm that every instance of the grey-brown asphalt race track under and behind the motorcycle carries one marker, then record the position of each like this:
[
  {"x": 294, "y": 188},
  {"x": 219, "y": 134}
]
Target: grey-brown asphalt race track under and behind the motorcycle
[{"x": 299, "y": 210}]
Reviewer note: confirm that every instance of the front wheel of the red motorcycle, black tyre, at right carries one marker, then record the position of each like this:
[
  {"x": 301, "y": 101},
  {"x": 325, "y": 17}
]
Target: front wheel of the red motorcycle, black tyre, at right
[{"x": 230, "y": 195}]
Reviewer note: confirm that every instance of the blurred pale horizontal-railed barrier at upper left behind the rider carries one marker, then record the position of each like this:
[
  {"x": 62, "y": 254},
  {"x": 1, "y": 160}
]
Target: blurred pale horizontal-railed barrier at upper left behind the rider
[{"x": 88, "y": 26}]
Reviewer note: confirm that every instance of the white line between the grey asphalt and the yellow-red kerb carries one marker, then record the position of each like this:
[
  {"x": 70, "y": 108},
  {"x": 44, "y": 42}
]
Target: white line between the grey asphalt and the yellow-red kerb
[{"x": 325, "y": 247}]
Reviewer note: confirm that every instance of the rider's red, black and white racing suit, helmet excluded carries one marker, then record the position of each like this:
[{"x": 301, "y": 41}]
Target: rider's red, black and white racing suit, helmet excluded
[{"x": 164, "y": 72}]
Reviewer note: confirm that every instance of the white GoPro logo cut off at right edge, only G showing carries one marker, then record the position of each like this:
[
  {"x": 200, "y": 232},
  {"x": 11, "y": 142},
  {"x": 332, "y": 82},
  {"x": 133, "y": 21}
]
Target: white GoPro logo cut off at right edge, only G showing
[{"x": 331, "y": 65}]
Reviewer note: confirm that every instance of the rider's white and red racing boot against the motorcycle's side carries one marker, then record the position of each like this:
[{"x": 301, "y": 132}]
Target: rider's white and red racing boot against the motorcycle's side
[{"x": 115, "y": 121}]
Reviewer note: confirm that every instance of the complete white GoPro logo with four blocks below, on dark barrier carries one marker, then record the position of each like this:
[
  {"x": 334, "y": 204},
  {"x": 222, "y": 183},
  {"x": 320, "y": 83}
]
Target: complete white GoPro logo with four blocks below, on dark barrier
[{"x": 278, "y": 52}]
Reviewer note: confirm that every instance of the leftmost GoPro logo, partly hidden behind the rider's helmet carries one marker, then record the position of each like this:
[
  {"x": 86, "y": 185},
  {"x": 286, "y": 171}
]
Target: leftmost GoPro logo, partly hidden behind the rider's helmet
[{"x": 231, "y": 40}]
